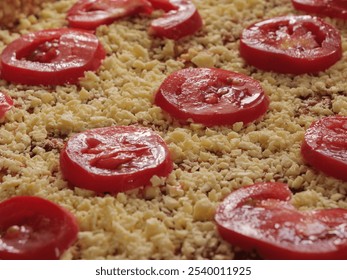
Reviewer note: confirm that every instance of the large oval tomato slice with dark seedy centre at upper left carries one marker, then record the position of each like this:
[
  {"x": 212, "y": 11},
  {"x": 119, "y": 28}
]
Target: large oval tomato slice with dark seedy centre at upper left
[{"x": 51, "y": 57}]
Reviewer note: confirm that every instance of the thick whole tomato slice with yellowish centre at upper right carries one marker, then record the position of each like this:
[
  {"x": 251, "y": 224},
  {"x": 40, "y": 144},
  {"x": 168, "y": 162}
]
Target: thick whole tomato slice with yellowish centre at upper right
[{"x": 291, "y": 44}]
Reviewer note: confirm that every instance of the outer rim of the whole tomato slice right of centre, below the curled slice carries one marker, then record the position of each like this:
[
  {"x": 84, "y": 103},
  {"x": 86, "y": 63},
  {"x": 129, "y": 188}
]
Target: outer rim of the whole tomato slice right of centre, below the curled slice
[{"x": 211, "y": 114}]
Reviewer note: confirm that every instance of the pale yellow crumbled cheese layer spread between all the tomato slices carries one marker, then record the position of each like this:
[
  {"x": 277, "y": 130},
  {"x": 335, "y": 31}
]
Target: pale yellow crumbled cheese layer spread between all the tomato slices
[{"x": 172, "y": 218}]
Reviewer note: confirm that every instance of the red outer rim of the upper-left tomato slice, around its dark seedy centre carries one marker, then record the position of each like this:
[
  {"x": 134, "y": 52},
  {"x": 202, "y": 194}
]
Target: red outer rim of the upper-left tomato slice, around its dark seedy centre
[{"x": 35, "y": 73}]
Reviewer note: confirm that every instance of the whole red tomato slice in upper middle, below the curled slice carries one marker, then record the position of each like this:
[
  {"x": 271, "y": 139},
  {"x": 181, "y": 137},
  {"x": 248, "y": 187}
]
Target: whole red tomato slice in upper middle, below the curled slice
[{"x": 212, "y": 96}]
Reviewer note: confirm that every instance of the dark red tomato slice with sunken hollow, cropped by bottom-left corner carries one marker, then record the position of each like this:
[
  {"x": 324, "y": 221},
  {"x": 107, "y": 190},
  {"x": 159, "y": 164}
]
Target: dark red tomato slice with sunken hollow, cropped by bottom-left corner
[{"x": 34, "y": 228}]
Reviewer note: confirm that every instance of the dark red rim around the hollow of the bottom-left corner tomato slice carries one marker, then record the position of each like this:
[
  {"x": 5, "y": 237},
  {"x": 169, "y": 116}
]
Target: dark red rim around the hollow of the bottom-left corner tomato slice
[{"x": 65, "y": 234}]
